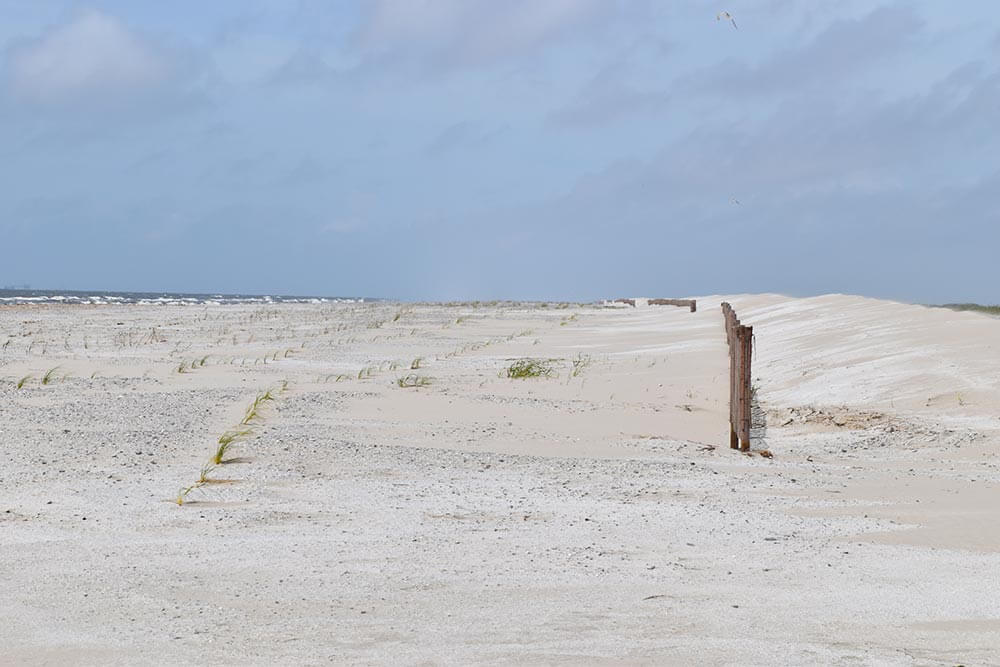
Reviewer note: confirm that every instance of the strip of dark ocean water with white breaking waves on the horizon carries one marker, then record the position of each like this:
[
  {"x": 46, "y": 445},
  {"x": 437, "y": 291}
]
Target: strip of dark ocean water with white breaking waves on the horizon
[{"x": 30, "y": 296}]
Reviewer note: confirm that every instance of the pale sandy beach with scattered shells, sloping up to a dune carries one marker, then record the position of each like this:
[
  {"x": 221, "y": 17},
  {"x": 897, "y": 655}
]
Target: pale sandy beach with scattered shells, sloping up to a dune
[{"x": 593, "y": 516}]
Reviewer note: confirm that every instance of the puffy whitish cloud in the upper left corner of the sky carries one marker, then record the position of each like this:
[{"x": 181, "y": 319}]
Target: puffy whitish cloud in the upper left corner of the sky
[{"x": 93, "y": 54}]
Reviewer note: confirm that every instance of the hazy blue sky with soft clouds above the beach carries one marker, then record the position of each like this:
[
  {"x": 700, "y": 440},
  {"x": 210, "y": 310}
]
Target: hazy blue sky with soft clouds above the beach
[{"x": 475, "y": 149}]
